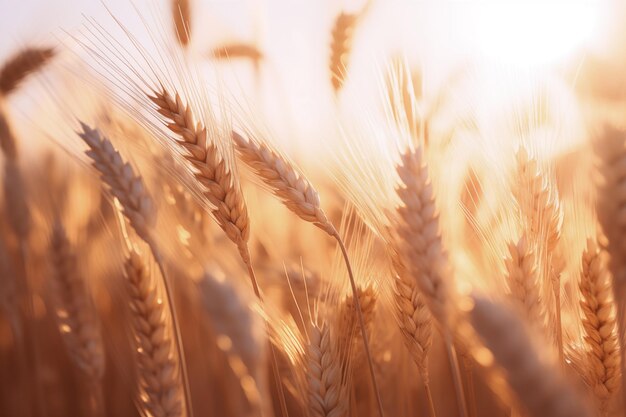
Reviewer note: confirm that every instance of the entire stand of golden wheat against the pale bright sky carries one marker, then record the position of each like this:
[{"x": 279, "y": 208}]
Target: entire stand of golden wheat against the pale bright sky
[{"x": 161, "y": 280}]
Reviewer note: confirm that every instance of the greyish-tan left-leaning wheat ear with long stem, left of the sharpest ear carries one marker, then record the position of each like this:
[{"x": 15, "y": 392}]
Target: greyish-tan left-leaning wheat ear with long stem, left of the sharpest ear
[{"x": 138, "y": 207}]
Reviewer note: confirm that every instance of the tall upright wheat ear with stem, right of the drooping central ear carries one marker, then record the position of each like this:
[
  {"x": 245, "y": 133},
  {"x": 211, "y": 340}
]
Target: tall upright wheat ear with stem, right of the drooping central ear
[{"x": 420, "y": 250}]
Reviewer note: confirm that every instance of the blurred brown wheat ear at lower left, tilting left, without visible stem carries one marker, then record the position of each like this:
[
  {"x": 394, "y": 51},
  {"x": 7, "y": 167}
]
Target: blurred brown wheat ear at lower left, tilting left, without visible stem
[{"x": 74, "y": 310}]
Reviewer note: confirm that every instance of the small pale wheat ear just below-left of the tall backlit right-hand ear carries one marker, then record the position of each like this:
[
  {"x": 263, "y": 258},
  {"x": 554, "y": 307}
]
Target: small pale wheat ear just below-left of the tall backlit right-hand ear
[{"x": 521, "y": 274}]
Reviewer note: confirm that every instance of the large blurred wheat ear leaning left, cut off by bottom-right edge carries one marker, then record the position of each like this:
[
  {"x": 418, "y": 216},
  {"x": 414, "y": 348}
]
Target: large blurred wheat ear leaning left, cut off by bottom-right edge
[{"x": 539, "y": 387}]
